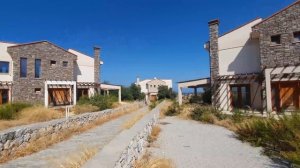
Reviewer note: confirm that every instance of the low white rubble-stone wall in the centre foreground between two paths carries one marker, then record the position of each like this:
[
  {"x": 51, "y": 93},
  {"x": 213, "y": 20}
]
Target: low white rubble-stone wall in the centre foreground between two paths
[{"x": 136, "y": 147}]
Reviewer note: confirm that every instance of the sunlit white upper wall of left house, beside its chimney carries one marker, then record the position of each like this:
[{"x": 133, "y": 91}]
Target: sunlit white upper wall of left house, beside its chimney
[{"x": 85, "y": 69}]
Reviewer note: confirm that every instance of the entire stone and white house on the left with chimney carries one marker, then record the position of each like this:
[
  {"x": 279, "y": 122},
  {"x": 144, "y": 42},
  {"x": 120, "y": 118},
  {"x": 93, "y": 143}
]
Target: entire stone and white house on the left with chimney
[{"x": 42, "y": 72}]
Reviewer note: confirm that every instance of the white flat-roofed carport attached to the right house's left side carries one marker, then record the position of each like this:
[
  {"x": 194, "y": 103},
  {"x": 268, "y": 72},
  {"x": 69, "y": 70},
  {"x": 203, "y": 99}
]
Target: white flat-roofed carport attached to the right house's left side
[{"x": 196, "y": 83}]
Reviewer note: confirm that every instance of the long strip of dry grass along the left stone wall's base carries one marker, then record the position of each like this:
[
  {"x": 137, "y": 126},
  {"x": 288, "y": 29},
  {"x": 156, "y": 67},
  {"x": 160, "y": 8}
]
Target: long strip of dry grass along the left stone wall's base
[{"x": 48, "y": 140}]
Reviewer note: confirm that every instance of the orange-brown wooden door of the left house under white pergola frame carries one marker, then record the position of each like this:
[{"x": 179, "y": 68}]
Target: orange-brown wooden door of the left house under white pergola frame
[{"x": 59, "y": 96}]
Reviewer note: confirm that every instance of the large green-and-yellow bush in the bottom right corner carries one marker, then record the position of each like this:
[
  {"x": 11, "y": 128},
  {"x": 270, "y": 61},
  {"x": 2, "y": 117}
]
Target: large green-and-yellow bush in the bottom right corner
[{"x": 282, "y": 134}]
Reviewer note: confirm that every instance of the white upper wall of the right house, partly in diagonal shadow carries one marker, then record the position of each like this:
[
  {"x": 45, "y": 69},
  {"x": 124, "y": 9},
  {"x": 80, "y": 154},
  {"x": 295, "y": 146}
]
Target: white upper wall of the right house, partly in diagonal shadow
[{"x": 238, "y": 53}]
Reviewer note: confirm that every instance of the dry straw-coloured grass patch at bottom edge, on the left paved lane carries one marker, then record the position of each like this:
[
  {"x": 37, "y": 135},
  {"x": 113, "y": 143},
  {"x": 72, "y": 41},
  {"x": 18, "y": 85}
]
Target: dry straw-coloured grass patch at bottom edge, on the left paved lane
[{"x": 79, "y": 159}]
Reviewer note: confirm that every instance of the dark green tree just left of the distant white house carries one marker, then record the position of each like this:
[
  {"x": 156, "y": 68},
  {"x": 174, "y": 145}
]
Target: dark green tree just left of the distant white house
[{"x": 131, "y": 93}]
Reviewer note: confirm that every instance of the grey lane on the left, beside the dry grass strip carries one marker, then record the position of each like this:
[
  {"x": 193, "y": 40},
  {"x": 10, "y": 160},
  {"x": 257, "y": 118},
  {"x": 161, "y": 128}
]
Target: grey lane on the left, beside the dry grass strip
[{"x": 58, "y": 153}]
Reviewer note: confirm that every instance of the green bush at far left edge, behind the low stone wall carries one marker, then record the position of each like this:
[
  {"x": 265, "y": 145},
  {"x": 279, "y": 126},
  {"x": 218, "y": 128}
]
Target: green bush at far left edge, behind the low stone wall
[{"x": 10, "y": 111}]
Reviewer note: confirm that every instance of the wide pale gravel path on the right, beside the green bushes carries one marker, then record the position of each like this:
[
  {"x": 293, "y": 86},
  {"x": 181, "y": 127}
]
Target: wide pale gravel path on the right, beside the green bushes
[{"x": 190, "y": 144}]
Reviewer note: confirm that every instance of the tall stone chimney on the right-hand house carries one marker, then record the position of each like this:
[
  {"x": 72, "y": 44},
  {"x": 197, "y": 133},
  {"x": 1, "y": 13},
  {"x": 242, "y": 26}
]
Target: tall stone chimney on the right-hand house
[{"x": 214, "y": 58}]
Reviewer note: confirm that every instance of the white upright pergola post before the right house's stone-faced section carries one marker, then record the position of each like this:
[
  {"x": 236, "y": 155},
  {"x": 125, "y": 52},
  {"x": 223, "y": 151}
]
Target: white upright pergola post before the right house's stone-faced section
[{"x": 268, "y": 90}]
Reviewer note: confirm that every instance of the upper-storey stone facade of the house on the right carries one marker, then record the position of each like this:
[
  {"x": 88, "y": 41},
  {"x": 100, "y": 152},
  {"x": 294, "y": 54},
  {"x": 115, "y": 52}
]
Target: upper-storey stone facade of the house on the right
[{"x": 284, "y": 23}]
